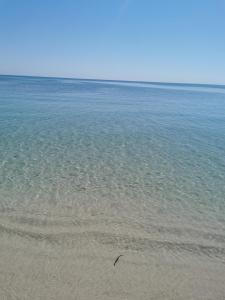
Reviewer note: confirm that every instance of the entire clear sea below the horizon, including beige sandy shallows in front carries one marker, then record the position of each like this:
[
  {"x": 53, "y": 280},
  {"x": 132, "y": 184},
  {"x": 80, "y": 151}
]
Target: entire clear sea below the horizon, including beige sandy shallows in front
[{"x": 90, "y": 170}]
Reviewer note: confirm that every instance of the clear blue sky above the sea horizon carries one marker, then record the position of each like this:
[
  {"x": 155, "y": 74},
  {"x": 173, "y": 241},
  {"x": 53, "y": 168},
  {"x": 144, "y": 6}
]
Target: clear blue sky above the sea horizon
[{"x": 146, "y": 40}]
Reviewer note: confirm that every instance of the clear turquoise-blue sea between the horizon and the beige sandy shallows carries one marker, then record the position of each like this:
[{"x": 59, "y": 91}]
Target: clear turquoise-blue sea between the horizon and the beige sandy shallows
[{"x": 147, "y": 153}]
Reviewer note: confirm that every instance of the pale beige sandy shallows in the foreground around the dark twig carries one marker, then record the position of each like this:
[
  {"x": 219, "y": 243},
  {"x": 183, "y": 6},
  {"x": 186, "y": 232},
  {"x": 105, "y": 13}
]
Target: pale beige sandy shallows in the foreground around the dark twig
[{"x": 64, "y": 258}]
